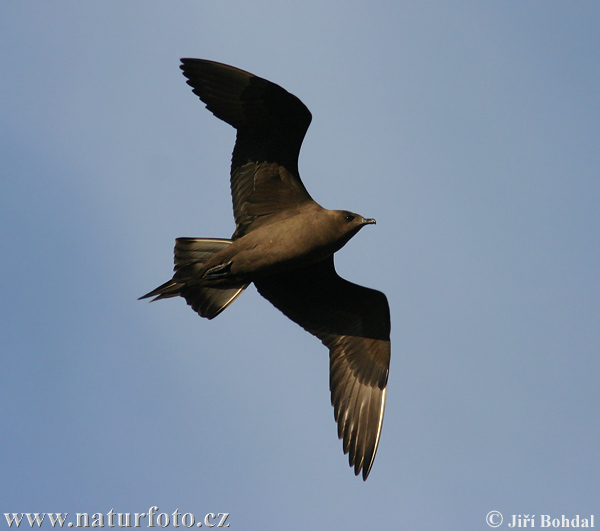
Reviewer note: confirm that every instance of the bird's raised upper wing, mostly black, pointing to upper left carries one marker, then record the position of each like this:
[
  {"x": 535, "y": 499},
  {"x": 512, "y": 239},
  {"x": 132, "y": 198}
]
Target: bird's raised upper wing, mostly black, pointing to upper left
[{"x": 271, "y": 124}]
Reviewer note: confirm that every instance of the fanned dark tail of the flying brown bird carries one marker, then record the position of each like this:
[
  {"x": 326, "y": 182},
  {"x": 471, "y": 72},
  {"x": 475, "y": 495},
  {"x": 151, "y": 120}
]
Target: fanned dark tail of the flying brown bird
[{"x": 190, "y": 256}]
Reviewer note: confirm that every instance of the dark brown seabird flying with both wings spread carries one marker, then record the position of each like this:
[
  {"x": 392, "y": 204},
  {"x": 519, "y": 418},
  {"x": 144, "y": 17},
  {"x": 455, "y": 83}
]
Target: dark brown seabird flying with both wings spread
[{"x": 284, "y": 243}]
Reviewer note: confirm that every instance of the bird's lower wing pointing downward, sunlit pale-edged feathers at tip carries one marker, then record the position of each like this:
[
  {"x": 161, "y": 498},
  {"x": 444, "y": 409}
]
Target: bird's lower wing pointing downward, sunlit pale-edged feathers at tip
[{"x": 354, "y": 323}]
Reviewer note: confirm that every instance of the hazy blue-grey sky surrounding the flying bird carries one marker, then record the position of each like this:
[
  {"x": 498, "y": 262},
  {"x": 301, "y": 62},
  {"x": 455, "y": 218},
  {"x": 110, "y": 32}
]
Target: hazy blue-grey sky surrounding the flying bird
[{"x": 468, "y": 129}]
